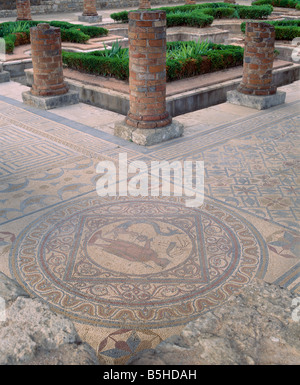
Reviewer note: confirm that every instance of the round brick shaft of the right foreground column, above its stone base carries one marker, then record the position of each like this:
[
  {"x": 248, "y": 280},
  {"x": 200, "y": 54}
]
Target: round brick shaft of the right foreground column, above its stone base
[{"x": 258, "y": 60}]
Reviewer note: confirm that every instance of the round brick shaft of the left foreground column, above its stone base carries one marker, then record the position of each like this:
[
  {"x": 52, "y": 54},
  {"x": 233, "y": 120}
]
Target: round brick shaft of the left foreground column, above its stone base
[{"x": 48, "y": 79}]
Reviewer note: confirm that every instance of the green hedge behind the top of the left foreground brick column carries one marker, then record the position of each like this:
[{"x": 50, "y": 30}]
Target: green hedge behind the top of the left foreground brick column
[{"x": 76, "y": 33}]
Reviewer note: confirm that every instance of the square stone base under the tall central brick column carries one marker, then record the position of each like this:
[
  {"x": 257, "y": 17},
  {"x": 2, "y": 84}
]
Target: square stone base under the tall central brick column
[{"x": 148, "y": 136}]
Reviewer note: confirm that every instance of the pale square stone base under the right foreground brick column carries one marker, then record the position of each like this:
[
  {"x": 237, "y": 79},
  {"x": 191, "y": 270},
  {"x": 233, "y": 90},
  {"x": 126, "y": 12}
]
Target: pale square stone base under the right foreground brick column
[{"x": 257, "y": 102}]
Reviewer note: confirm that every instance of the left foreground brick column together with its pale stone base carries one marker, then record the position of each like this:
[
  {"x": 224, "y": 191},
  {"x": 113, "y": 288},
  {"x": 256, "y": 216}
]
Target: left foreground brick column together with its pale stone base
[{"x": 49, "y": 89}]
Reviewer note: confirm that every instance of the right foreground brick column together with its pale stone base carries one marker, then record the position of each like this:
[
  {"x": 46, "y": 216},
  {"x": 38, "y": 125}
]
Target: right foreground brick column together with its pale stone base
[{"x": 256, "y": 89}]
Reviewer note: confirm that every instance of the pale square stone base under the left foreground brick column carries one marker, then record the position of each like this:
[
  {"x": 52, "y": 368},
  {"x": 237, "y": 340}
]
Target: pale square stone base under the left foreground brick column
[{"x": 50, "y": 102}]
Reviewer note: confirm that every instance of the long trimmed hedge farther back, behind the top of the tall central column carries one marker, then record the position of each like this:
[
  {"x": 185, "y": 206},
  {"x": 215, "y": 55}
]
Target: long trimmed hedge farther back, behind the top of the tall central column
[{"x": 216, "y": 10}]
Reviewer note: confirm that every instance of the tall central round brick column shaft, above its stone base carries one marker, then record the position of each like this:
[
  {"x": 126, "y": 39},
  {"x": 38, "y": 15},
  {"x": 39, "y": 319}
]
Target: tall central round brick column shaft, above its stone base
[{"x": 147, "y": 70}]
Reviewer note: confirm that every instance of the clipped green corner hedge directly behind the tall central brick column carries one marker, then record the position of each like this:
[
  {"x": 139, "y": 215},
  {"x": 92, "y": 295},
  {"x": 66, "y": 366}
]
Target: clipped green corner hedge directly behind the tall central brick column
[{"x": 102, "y": 63}]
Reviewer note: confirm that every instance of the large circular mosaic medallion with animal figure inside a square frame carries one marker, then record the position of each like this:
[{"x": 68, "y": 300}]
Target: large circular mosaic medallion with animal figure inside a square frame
[{"x": 132, "y": 263}]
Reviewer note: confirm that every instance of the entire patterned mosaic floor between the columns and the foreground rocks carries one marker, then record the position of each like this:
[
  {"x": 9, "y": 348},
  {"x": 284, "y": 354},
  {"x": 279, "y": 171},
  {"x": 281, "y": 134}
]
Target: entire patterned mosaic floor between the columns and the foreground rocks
[{"x": 132, "y": 271}]
